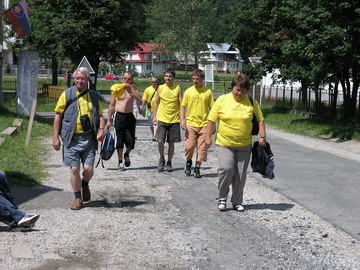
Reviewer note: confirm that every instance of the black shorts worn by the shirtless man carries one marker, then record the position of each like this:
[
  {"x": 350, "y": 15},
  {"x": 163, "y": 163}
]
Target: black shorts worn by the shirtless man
[{"x": 125, "y": 124}]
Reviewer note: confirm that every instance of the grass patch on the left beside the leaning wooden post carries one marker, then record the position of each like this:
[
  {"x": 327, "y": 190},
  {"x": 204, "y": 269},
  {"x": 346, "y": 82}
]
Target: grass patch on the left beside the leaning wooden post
[{"x": 23, "y": 165}]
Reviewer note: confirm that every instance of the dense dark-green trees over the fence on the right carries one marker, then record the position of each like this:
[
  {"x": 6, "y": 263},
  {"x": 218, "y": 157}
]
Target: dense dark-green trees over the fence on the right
[{"x": 309, "y": 41}]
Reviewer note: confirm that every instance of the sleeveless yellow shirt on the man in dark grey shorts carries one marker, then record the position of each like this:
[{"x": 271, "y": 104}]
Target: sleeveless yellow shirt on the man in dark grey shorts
[{"x": 169, "y": 107}]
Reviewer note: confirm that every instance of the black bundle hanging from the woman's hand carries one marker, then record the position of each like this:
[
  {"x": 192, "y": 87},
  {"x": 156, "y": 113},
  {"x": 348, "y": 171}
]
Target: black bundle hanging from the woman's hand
[{"x": 262, "y": 160}]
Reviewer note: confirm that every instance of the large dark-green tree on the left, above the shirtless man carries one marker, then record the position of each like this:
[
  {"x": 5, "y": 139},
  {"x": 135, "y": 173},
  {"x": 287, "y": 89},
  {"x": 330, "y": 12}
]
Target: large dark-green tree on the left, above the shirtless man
[{"x": 100, "y": 30}]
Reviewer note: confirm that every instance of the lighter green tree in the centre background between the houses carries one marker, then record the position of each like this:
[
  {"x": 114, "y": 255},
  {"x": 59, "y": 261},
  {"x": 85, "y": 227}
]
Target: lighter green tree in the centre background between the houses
[{"x": 182, "y": 26}]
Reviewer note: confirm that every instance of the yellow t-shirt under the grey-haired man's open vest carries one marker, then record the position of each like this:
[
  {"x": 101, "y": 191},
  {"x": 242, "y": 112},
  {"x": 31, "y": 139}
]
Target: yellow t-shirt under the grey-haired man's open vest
[{"x": 85, "y": 107}]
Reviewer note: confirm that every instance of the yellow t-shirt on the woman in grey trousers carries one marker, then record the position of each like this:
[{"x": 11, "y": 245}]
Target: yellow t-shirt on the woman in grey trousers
[{"x": 235, "y": 120}]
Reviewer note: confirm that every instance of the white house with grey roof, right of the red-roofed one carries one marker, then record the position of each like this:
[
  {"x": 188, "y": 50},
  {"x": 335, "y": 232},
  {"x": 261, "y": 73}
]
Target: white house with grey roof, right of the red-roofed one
[{"x": 223, "y": 57}]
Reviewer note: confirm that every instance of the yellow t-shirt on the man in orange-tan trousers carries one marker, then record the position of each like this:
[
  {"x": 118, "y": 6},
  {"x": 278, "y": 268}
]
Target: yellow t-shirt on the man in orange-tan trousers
[{"x": 198, "y": 101}]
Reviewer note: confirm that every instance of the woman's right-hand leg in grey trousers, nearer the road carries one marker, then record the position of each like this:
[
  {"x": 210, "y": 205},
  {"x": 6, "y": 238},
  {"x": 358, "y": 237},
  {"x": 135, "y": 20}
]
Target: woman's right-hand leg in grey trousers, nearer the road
[{"x": 242, "y": 158}]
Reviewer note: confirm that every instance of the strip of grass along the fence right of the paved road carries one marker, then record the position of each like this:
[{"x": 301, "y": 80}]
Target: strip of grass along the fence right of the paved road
[{"x": 314, "y": 128}]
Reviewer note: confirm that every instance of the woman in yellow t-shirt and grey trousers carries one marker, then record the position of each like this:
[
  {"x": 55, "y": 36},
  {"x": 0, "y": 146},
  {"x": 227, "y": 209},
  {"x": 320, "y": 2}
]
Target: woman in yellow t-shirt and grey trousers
[{"x": 234, "y": 113}]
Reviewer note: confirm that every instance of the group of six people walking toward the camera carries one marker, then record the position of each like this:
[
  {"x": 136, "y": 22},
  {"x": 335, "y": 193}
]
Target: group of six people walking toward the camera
[{"x": 80, "y": 123}]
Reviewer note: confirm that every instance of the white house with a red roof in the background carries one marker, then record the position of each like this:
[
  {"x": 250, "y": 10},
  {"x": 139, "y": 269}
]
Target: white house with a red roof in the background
[{"x": 150, "y": 58}]
